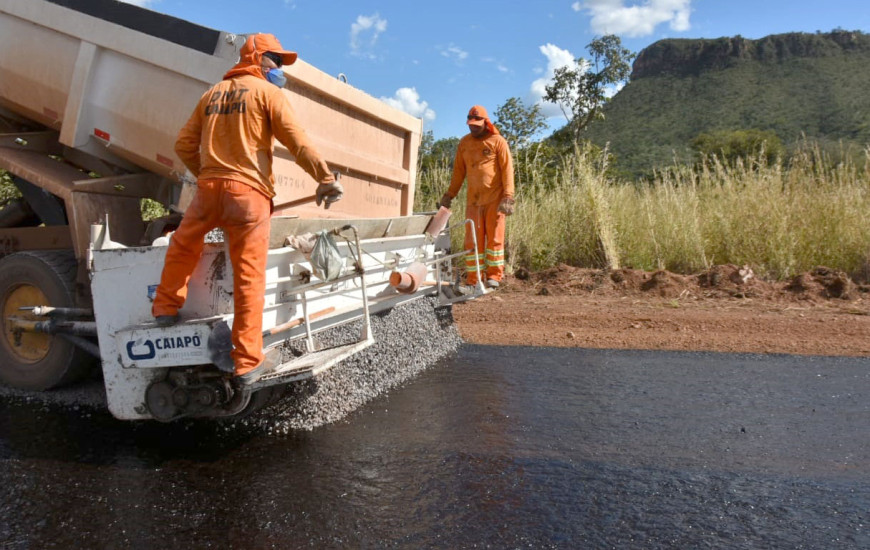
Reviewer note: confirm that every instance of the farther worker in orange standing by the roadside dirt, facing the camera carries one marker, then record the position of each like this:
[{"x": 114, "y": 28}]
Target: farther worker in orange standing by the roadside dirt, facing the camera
[{"x": 483, "y": 158}]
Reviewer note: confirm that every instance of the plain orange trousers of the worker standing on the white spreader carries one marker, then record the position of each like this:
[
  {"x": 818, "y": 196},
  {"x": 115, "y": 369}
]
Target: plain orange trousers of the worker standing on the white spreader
[{"x": 243, "y": 213}]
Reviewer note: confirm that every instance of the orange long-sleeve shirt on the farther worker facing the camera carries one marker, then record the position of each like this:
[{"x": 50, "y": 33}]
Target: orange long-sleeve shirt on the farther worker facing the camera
[{"x": 487, "y": 165}]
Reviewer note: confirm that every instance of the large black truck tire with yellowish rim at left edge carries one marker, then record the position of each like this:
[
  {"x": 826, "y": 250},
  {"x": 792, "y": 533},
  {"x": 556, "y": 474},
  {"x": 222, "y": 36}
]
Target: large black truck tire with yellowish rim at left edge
[{"x": 33, "y": 361}]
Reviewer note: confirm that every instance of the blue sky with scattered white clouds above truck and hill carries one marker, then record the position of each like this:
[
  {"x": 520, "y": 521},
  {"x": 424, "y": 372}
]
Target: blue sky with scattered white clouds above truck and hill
[{"x": 437, "y": 59}]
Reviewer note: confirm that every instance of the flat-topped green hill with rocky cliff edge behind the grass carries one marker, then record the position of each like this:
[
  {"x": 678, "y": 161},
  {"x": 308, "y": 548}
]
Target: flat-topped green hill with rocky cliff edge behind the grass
[{"x": 793, "y": 84}]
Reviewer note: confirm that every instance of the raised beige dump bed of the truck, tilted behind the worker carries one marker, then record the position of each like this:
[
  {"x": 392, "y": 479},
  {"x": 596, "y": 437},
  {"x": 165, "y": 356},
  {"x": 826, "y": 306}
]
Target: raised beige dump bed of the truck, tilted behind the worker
[{"x": 117, "y": 82}]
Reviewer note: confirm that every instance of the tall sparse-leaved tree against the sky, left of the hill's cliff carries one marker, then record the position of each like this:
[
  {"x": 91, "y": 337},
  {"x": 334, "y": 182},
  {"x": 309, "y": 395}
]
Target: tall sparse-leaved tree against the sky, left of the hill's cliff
[{"x": 580, "y": 90}]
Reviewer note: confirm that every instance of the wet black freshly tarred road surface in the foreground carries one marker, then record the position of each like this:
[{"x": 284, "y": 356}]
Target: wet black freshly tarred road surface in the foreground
[{"x": 494, "y": 447}]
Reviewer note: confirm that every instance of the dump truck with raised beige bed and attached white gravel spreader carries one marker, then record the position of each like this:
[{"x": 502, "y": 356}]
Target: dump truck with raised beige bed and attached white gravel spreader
[{"x": 92, "y": 95}]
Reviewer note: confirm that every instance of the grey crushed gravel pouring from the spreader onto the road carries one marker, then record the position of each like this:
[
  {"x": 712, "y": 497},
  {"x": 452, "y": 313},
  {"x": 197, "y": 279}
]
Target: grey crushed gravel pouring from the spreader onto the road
[{"x": 408, "y": 339}]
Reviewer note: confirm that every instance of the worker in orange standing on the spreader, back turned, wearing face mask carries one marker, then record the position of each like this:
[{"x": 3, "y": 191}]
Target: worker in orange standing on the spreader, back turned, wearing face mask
[{"x": 227, "y": 145}]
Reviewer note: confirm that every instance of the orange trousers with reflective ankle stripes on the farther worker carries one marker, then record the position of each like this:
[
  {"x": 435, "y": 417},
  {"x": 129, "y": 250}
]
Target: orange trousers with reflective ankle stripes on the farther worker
[{"x": 489, "y": 227}]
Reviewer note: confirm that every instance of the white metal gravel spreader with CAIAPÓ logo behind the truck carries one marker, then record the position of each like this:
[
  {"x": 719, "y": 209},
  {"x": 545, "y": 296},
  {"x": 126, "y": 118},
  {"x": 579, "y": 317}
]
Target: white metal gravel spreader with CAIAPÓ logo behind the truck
[{"x": 185, "y": 370}]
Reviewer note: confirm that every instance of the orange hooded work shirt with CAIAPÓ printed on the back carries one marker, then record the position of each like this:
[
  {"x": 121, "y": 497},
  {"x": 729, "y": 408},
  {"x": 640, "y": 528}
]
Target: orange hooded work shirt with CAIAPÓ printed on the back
[{"x": 229, "y": 135}]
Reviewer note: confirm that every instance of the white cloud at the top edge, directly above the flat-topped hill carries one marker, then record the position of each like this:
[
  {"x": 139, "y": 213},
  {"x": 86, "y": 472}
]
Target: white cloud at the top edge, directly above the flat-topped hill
[{"x": 614, "y": 17}]
